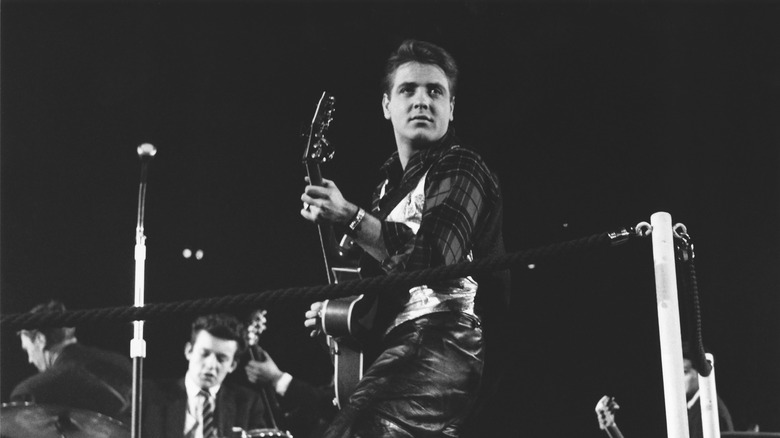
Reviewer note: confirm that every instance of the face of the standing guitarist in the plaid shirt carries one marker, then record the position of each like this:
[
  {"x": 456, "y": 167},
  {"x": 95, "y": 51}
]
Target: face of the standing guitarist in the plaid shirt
[{"x": 419, "y": 105}]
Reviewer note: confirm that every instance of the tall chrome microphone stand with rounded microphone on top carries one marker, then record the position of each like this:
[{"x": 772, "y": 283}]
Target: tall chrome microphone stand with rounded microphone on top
[{"x": 137, "y": 345}]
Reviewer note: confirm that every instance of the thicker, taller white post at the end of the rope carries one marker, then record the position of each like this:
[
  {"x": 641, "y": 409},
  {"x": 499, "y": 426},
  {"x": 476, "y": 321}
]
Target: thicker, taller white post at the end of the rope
[{"x": 669, "y": 325}]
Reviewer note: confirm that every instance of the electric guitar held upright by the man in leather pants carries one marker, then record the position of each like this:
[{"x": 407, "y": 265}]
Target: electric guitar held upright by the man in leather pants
[{"x": 343, "y": 320}]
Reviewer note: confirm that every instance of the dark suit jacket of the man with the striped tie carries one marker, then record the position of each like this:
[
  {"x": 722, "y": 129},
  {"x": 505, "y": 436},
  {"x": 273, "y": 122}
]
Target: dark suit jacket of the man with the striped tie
[{"x": 165, "y": 407}]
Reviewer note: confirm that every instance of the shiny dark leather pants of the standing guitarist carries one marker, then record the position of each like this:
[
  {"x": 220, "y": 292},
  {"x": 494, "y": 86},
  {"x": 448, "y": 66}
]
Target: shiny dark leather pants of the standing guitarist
[{"x": 422, "y": 385}]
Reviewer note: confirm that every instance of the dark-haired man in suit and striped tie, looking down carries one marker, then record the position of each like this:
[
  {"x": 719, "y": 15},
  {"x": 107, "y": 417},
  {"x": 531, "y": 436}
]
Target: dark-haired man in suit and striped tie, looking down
[{"x": 203, "y": 404}]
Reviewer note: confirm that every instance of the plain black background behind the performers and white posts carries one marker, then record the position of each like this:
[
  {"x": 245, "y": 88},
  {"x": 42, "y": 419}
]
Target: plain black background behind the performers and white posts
[{"x": 594, "y": 114}]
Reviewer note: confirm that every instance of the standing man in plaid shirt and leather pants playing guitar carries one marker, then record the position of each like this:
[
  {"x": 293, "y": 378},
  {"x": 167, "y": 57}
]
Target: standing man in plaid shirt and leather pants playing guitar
[{"x": 436, "y": 204}]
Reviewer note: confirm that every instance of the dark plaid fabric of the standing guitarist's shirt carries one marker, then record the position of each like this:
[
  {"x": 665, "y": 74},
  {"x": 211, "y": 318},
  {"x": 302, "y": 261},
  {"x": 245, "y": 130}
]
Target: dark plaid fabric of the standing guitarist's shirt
[{"x": 459, "y": 192}]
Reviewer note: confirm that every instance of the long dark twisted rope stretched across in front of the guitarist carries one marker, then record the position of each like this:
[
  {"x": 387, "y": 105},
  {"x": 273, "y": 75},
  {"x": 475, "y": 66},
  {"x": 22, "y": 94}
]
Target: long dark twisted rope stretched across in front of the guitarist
[{"x": 238, "y": 302}]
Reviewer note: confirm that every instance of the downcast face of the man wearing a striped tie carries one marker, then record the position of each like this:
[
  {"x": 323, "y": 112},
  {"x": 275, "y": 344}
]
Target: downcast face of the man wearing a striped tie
[{"x": 211, "y": 359}]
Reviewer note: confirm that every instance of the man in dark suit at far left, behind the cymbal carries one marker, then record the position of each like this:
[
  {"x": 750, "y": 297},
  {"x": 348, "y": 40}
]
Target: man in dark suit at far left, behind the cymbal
[{"x": 72, "y": 374}]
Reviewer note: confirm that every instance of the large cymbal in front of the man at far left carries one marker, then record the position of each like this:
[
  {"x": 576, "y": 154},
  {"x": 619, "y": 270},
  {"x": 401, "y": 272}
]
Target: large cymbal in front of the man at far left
[{"x": 19, "y": 420}]
